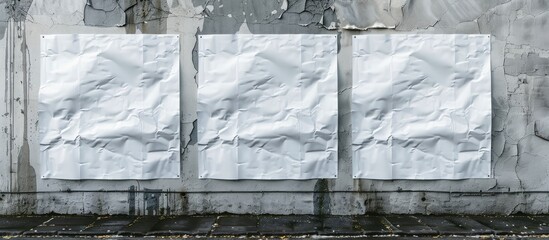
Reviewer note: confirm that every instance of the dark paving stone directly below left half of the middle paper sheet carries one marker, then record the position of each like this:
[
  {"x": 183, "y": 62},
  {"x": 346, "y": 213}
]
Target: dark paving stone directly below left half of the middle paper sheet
[{"x": 236, "y": 225}]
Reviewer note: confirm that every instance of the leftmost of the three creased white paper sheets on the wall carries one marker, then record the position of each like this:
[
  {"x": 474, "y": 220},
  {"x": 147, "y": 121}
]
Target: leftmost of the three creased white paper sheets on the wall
[{"x": 109, "y": 106}]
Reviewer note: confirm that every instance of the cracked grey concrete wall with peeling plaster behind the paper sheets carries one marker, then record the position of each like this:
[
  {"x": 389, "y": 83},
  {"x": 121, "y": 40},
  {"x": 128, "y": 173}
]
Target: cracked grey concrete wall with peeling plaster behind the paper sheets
[{"x": 520, "y": 92}]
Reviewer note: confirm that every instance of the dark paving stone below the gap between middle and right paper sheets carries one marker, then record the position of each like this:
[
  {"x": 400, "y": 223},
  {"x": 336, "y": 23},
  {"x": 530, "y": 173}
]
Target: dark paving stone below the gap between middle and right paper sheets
[{"x": 336, "y": 225}]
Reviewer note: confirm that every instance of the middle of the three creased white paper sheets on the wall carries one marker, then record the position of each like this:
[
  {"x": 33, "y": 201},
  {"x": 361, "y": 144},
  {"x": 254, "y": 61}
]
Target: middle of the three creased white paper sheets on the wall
[{"x": 267, "y": 106}]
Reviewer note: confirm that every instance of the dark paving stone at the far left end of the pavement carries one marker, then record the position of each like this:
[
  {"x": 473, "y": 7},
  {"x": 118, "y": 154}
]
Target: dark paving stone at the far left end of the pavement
[{"x": 15, "y": 225}]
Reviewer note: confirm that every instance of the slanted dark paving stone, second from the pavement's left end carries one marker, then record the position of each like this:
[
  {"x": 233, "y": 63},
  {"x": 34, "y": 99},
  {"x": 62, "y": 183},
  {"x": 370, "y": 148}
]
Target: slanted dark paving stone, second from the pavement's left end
[{"x": 60, "y": 225}]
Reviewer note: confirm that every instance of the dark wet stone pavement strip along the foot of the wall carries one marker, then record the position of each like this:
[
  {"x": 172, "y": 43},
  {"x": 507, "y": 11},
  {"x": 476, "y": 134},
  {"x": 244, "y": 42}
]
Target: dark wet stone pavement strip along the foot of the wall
[{"x": 273, "y": 226}]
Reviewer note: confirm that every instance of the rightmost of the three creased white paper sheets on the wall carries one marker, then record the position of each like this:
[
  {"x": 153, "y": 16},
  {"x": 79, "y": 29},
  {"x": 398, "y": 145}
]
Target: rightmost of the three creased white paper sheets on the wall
[{"x": 421, "y": 106}]
